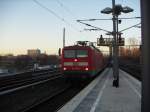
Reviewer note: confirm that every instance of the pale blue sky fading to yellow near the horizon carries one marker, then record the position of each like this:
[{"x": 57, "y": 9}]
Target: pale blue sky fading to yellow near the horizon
[{"x": 24, "y": 24}]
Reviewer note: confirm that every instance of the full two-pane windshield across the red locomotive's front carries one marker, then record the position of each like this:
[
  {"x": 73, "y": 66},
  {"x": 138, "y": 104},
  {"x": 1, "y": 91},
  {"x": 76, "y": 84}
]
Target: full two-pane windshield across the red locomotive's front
[{"x": 75, "y": 53}]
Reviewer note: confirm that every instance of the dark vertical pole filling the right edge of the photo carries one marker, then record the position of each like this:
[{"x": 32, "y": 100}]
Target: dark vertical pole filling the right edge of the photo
[{"x": 146, "y": 55}]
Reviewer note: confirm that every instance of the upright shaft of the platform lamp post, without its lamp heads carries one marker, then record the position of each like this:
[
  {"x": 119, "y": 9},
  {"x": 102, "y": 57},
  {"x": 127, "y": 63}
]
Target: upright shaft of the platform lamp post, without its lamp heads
[{"x": 115, "y": 61}]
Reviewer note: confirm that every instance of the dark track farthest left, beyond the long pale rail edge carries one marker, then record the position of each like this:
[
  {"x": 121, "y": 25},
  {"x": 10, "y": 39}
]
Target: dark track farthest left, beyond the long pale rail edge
[{"x": 25, "y": 78}]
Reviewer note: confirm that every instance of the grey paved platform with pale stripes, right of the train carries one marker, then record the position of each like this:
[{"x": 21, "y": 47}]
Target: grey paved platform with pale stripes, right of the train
[{"x": 101, "y": 96}]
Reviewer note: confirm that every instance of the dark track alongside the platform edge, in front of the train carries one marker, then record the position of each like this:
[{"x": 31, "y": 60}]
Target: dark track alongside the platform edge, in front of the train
[{"x": 55, "y": 102}]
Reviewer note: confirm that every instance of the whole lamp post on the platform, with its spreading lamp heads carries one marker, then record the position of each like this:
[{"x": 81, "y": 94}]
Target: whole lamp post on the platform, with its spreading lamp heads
[{"x": 116, "y": 11}]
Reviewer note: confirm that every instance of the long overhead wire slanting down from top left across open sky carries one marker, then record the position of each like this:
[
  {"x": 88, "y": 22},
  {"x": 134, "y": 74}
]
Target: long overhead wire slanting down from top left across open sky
[{"x": 56, "y": 15}]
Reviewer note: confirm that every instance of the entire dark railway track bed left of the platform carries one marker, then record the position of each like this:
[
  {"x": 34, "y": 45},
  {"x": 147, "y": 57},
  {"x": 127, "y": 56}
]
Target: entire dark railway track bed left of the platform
[{"x": 43, "y": 93}]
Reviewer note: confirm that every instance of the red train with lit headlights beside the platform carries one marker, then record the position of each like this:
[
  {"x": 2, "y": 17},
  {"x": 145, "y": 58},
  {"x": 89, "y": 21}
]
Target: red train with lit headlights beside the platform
[{"x": 82, "y": 60}]
